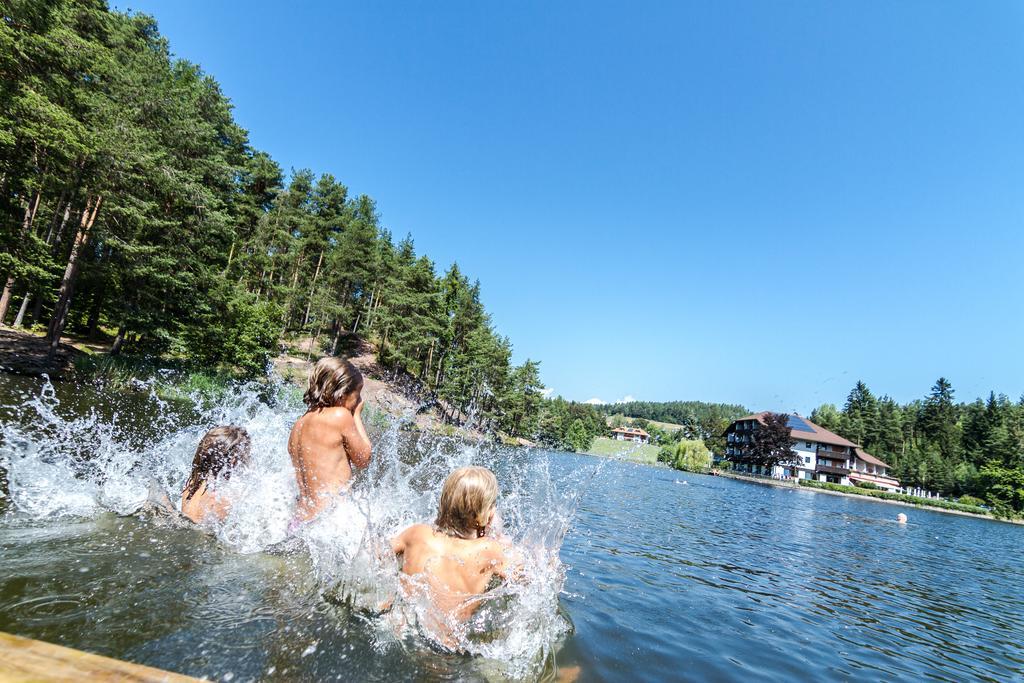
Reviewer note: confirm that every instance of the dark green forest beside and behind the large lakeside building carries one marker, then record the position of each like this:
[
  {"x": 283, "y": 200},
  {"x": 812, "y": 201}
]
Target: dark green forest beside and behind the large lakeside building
[{"x": 958, "y": 449}]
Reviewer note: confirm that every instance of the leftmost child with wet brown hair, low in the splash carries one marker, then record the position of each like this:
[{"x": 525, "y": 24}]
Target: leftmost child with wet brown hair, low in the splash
[{"x": 221, "y": 451}]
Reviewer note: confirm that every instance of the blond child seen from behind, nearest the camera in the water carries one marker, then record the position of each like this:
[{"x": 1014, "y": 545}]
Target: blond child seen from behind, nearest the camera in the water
[{"x": 454, "y": 561}]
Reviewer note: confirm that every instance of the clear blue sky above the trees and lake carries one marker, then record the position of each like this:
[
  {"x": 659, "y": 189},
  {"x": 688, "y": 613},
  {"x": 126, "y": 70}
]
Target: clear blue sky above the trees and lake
[{"x": 747, "y": 202}]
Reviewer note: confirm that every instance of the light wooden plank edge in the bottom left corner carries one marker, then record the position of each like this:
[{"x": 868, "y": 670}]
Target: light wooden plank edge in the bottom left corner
[{"x": 24, "y": 660}]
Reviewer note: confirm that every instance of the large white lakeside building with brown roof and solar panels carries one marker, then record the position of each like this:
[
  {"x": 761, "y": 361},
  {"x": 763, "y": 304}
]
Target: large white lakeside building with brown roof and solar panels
[{"x": 821, "y": 455}]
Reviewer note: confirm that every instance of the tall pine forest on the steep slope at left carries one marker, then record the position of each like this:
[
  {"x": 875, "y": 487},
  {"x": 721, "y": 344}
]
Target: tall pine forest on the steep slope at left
[{"x": 137, "y": 210}]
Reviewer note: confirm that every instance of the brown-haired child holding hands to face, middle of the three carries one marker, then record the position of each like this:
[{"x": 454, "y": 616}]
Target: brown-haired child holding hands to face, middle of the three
[{"x": 330, "y": 440}]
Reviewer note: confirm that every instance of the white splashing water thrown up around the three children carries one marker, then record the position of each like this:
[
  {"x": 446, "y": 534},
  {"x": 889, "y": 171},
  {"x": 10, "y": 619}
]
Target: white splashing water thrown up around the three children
[{"x": 61, "y": 465}]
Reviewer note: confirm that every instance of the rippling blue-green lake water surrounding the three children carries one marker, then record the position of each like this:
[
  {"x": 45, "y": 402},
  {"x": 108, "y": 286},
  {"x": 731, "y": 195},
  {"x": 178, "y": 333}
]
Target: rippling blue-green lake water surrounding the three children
[{"x": 664, "y": 575}]
